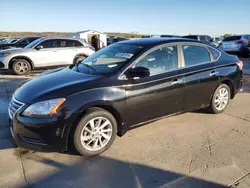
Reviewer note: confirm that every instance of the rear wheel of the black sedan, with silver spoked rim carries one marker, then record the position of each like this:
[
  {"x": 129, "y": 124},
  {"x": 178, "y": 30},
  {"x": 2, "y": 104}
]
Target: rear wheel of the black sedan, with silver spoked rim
[{"x": 220, "y": 100}]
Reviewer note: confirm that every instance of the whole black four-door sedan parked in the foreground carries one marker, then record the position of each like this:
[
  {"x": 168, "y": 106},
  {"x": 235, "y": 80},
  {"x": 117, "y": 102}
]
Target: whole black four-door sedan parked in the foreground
[{"x": 120, "y": 87}]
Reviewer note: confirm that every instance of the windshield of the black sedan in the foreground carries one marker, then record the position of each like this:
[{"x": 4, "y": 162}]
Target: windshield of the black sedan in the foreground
[{"x": 108, "y": 59}]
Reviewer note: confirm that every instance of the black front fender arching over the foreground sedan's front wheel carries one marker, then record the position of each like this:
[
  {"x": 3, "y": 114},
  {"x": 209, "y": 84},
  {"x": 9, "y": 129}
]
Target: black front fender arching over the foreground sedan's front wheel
[{"x": 76, "y": 104}]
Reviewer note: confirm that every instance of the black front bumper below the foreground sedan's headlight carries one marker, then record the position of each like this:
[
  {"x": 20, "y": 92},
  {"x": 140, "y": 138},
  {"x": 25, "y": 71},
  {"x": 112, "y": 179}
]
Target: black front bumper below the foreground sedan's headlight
[{"x": 38, "y": 134}]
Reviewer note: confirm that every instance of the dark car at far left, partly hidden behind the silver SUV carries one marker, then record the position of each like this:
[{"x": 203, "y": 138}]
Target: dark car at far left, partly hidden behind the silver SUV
[{"x": 19, "y": 44}]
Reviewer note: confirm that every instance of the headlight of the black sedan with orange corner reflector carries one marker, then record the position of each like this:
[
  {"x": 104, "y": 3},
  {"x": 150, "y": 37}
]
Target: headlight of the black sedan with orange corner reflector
[{"x": 44, "y": 108}]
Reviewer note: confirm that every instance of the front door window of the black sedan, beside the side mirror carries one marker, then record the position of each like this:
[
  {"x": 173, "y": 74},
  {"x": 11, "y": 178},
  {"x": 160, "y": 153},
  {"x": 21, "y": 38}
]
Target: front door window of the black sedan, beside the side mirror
[{"x": 160, "y": 60}]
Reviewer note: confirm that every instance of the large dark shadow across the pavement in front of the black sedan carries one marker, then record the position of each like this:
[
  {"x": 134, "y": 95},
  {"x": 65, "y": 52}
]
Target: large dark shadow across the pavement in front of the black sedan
[{"x": 105, "y": 172}]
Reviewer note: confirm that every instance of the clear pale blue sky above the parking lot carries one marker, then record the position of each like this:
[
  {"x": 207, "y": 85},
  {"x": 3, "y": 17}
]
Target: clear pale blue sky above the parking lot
[{"x": 214, "y": 17}]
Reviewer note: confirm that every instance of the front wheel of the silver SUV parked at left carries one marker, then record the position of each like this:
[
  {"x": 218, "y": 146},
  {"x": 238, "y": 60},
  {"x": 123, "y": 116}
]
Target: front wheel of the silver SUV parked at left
[{"x": 21, "y": 67}]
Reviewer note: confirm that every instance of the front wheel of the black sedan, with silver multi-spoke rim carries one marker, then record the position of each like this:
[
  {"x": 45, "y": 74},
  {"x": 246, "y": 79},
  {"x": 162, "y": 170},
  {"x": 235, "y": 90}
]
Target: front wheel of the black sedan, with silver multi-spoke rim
[{"x": 95, "y": 132}]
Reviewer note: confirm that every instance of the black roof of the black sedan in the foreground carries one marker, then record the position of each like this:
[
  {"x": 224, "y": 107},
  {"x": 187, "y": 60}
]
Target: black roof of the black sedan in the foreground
[{"x": 156, "y": 41}]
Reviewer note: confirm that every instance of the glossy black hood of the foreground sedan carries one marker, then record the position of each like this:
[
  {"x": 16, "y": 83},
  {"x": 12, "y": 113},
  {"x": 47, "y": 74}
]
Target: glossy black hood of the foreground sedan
[{"x": 58, "y": 83}]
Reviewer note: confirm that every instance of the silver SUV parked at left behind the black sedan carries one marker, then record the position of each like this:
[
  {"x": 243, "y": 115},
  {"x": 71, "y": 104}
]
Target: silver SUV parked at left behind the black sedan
[{"x": 44, "y": 52}]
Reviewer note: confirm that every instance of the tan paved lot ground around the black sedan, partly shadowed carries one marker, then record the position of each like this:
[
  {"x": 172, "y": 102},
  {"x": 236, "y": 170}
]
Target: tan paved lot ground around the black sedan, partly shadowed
[{"x": 189, "y": 150}]
